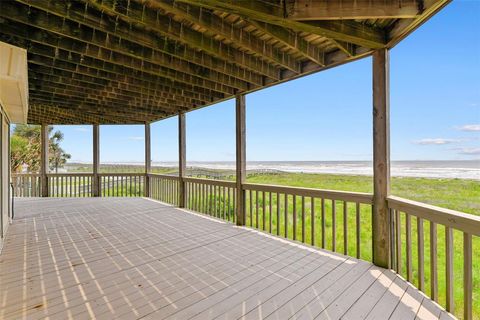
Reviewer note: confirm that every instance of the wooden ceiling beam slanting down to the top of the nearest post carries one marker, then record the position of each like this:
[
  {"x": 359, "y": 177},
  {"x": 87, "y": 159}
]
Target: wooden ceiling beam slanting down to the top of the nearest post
[{"x": 347, "y": 31}]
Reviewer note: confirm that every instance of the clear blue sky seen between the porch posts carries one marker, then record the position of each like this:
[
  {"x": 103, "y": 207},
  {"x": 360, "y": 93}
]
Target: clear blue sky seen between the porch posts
[{"x": 435, "y": 109}]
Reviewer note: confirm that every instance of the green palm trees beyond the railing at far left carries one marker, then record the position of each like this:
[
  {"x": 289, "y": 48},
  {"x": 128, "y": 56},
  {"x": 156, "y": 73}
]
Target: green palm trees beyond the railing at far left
[{"x": 26, "y": 148}]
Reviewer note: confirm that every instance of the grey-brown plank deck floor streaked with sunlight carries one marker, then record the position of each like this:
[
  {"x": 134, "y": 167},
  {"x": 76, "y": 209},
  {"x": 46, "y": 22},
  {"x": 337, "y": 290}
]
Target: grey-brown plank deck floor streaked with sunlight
[{"x": 109, "y": 258}]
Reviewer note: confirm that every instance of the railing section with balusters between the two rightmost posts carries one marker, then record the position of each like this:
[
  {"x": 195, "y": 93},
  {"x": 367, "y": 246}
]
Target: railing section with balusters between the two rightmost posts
[{"x": 335, "y": 220}]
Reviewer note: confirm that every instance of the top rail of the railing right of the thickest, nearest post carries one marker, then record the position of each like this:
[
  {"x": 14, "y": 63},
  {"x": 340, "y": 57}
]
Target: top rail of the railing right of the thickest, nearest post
[{"x": 465, "y": 222}]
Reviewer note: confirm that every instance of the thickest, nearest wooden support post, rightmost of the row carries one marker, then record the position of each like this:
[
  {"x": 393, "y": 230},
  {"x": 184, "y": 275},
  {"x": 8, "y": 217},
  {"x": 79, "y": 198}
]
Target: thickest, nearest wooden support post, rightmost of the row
[{"x": 381, "y": 158}]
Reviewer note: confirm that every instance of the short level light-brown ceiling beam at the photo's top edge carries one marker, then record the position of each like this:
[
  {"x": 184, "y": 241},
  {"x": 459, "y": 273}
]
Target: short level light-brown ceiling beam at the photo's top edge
[{"x": 353, "y": 9}]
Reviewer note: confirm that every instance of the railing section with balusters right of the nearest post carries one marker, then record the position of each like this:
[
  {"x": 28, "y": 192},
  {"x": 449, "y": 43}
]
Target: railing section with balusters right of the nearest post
[{"x": 425, "y": 241}]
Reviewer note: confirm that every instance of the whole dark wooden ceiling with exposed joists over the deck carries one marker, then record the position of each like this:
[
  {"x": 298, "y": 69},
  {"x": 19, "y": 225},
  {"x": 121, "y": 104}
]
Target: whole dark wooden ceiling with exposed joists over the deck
[{"x": 137, "y": 61}]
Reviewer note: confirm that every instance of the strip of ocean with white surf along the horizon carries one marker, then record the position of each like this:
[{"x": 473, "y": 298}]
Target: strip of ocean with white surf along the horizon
[{"x": 460, "y": 169}]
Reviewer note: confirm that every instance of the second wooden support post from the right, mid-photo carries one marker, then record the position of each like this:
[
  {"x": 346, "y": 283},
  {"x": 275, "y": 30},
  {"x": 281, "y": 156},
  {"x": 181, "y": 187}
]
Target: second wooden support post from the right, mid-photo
[{"x": 241, "y": 159}]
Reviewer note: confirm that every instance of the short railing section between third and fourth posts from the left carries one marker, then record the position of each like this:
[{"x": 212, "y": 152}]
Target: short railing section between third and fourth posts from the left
[{"x": 164, "y": 188}]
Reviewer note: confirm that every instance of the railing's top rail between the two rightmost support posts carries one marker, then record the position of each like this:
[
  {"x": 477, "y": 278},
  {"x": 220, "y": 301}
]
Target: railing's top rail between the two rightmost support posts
[{"x": 359, "y": 197}]
